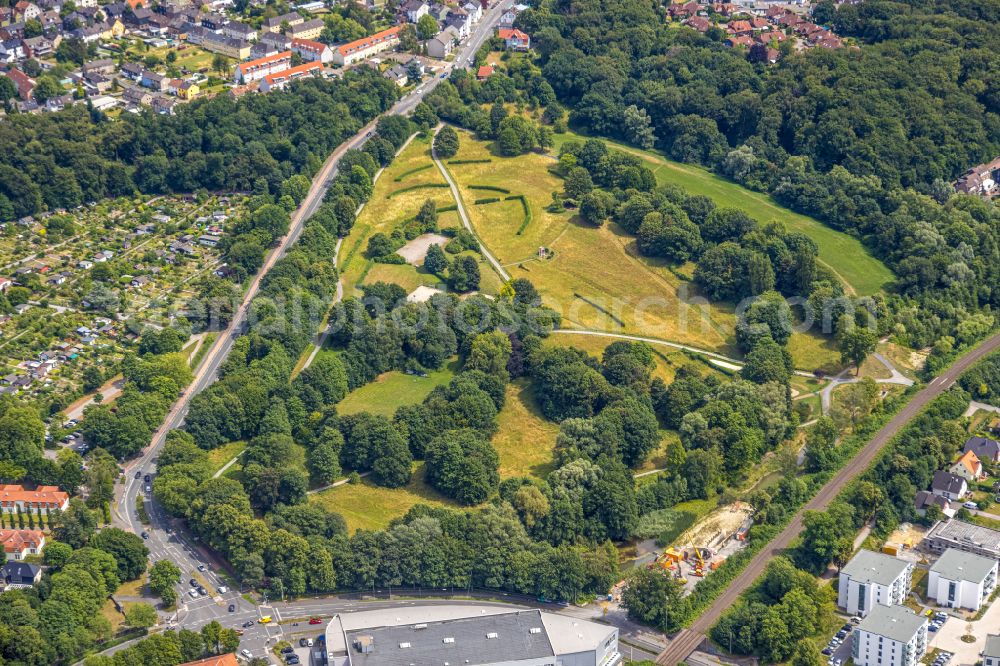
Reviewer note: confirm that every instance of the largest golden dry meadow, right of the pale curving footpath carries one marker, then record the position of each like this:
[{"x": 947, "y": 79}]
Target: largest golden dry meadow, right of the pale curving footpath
[{"x": 595, "y": 279}]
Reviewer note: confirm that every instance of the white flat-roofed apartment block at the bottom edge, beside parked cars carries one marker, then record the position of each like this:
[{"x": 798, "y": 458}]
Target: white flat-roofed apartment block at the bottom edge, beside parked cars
[{"x": 890, "y": 636}]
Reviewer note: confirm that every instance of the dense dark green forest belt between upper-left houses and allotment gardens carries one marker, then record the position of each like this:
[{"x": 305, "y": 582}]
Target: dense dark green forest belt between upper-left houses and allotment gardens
[{"x": 60, "y": 160}]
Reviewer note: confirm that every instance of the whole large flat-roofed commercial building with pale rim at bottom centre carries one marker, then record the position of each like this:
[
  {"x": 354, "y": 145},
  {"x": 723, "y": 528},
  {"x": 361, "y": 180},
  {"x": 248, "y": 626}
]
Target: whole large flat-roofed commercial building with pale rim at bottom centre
[{"x": 467, "y": 635}]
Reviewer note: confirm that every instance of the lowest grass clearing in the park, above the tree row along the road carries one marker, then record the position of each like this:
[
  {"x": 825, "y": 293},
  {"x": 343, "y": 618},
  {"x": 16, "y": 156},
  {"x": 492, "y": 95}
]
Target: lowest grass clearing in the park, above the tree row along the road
[{"x": 367, "y": 506}]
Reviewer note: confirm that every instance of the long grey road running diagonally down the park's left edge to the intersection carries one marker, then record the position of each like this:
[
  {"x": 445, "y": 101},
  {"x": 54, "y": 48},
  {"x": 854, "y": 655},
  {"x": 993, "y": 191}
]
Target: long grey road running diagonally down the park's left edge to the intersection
[{"x": 167, "y": 538}]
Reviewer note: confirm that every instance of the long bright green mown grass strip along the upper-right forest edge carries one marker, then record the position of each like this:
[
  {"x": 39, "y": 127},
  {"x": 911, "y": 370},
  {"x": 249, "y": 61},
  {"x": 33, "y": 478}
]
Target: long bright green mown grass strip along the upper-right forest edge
[{"x": 843, "y": 254}]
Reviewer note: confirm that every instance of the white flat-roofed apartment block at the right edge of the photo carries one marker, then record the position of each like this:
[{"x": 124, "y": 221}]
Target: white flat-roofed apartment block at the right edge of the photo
[{"x": 962, "y": 580}]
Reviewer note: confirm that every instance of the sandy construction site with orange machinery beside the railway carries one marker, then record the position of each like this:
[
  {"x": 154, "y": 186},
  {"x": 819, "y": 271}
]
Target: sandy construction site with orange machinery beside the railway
[{"x": 705, "y": 546}]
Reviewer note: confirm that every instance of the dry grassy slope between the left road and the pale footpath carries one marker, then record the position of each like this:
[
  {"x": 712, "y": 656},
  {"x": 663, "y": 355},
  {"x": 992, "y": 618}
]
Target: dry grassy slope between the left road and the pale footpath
[{"x": 383, "y": 213}]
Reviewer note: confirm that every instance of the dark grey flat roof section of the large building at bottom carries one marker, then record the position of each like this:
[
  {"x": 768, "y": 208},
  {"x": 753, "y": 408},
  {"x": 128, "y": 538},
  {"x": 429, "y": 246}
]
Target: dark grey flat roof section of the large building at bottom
[{"x": 514, "y": 641}]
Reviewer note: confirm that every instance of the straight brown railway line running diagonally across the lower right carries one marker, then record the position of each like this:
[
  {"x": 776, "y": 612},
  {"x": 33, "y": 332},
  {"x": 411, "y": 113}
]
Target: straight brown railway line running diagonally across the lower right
[{"x": 687, "y": 640}]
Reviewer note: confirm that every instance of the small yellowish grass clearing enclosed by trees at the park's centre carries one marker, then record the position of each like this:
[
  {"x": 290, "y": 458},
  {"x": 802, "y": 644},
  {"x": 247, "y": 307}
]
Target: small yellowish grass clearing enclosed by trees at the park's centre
[{"x": 525, "y": 439}]
